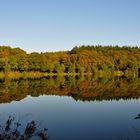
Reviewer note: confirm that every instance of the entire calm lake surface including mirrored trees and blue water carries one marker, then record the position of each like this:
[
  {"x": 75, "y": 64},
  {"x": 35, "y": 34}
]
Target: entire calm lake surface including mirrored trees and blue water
[{"x": 71, "y": 109}]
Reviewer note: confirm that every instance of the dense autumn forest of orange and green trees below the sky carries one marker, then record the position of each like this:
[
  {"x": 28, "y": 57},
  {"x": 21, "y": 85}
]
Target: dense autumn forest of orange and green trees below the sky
[{"x": 80, "y": 60}]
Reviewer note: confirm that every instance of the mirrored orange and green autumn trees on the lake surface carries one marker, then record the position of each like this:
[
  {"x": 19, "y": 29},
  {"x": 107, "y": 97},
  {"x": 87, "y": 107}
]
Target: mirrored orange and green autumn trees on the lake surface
[{"x": 80, "y": 88}]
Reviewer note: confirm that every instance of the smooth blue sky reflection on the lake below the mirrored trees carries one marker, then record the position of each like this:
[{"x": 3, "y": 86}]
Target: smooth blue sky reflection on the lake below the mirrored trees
[{"x": 70, "y": 120}]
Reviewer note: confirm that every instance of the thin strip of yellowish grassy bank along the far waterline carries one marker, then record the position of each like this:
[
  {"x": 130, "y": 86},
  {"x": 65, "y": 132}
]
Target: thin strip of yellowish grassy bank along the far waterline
[{"x": 36, "y": 75}]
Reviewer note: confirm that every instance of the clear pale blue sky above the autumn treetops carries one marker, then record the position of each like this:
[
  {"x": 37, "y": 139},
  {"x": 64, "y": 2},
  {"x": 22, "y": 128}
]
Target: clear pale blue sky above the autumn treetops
[{"x": 52, "y": 25}]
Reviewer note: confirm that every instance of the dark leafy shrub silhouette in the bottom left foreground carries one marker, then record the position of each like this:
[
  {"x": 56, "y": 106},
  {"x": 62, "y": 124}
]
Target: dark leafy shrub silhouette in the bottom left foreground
[{"x": 11, "y": 131}]
